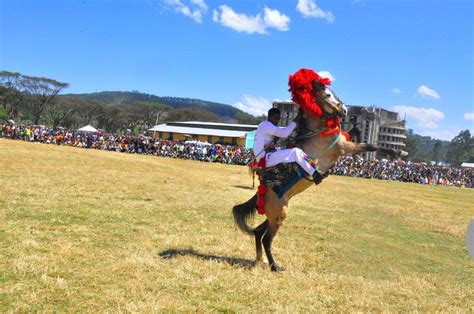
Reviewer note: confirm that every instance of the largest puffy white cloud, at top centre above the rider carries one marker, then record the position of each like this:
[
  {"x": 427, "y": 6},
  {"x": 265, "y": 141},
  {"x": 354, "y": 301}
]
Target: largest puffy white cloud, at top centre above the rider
[{"x": 251, "y": 24}]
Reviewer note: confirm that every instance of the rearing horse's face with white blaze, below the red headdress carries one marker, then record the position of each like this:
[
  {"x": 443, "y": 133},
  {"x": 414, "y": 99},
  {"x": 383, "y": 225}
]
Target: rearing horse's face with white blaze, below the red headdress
[{"x": 329, "y": 102}]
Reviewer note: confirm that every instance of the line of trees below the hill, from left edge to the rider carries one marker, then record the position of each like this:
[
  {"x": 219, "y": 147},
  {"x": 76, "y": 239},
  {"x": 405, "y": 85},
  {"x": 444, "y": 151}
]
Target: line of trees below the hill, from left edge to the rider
[{"x": 36, "y": 100}]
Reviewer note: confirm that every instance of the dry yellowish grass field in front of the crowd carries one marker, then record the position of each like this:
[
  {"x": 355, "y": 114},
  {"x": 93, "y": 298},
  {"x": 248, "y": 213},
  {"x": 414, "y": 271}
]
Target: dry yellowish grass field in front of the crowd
[{"x": 85, "y": 230}]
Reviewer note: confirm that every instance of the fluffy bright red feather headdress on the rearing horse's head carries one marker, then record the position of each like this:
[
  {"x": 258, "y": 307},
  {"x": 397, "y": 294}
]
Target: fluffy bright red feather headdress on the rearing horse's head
[{"x": 301, "y": 88}]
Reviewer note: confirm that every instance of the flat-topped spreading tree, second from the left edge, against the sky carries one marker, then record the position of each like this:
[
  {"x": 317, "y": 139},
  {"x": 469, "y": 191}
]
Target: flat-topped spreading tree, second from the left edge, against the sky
[{"x": 42, "y": 91}]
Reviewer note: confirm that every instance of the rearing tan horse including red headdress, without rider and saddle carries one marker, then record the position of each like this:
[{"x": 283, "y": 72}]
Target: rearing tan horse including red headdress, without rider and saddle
[{"x": 318, "y": 134}]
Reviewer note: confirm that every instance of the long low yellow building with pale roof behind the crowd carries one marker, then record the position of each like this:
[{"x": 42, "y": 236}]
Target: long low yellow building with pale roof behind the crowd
[{"x": 224, "y": 133}]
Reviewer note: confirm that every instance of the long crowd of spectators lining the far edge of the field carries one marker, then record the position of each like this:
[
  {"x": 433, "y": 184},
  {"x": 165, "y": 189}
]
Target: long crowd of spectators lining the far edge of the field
[{"x": 398, "y": 170}]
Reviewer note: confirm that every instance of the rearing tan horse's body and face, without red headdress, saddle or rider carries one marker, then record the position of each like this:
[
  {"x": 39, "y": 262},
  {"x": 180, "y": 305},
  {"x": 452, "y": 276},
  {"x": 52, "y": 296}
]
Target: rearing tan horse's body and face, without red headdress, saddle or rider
[{"x": 325, "y": 151}]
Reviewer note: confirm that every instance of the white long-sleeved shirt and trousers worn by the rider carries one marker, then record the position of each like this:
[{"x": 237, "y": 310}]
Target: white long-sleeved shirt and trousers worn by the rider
[{"x": 265, "y": 135}]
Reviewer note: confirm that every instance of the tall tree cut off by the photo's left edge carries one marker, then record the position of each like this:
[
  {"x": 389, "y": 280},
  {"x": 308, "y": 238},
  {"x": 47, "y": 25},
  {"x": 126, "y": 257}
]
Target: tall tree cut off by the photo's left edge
[{"x": 11, "y": 85}]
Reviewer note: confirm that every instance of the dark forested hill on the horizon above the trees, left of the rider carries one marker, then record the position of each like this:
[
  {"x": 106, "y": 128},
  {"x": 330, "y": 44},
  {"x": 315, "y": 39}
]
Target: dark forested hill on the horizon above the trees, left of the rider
[{"x": 226, "y": 112}]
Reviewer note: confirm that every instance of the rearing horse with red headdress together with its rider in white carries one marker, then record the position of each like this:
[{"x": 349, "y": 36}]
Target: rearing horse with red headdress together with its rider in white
[{"x": 286, "y": 171}]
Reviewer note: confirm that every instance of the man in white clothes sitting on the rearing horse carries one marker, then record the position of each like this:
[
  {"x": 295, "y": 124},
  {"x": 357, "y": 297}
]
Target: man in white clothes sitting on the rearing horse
[{"x": 267, "y": 135}]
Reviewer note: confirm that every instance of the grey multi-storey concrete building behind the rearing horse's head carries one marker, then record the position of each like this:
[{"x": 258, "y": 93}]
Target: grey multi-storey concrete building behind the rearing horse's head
[{"x": 375, "y": 125}]
